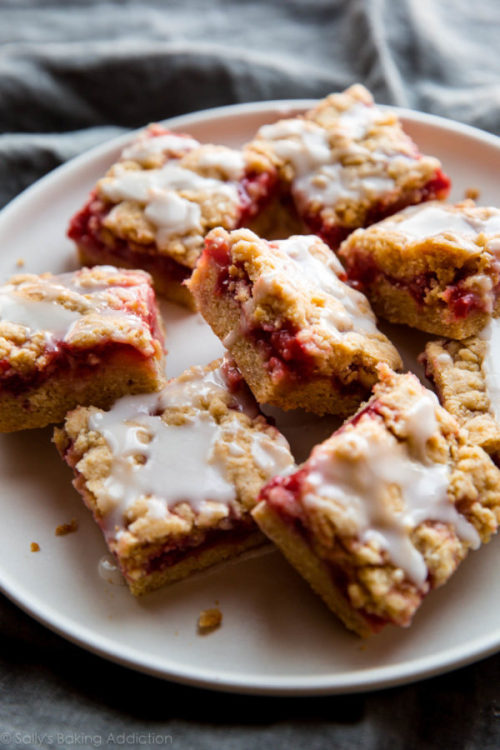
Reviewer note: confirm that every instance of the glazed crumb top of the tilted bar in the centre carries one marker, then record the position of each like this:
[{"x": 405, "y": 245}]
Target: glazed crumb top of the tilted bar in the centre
[{"x": 296, "y": 281}]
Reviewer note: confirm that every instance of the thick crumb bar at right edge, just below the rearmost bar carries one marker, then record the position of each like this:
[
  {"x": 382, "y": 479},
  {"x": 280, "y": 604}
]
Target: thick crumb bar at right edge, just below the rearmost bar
[{"x": 435, "y": 267}]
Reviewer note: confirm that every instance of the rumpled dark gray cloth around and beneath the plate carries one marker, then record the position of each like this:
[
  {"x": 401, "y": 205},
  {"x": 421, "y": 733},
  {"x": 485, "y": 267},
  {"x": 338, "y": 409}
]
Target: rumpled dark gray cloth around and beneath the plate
[{"x": 75, "y": 72}]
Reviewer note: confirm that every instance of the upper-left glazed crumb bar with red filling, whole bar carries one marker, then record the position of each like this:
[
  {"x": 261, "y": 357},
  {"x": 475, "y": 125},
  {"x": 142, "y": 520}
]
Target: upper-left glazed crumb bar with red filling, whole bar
[{"x": 155, "y": 205}]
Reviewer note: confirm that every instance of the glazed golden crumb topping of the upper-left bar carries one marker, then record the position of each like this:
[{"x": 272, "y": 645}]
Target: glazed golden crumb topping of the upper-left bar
[{"x": 169, "y": 190}]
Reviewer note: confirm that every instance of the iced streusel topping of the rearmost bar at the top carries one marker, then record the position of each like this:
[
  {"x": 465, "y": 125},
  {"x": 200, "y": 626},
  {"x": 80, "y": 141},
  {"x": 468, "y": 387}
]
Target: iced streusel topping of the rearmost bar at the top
[{"x": 344, "y": 151}]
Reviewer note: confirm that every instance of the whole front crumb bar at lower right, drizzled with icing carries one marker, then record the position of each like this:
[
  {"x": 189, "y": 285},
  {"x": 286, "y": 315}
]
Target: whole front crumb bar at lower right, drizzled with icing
[{"x": 385, "y": 509}]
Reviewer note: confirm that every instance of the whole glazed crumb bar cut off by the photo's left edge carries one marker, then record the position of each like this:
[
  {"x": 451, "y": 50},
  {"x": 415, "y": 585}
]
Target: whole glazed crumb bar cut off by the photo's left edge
[{"x": 87, "y": 337}]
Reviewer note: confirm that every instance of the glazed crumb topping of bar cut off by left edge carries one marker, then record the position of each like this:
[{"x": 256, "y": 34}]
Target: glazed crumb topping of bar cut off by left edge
[{"x": 81, "y": 310}]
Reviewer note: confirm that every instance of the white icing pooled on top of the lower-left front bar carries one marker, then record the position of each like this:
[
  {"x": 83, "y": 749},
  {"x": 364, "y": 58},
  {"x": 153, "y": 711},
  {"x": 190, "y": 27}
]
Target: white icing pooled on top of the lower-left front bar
[{"x": 177, "y": 462}]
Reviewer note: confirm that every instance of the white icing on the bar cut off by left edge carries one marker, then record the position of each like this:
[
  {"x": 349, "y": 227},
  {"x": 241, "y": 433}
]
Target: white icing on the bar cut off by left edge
[{"x": 20, "y": 304}]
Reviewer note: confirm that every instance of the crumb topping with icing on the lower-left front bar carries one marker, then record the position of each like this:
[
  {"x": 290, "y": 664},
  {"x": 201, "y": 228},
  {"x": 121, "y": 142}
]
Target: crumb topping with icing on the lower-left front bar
[{"x": 190, "y": 457}]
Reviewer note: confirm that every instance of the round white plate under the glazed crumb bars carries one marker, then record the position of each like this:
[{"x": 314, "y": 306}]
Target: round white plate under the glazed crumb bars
[{"x": 276, "y": 637}]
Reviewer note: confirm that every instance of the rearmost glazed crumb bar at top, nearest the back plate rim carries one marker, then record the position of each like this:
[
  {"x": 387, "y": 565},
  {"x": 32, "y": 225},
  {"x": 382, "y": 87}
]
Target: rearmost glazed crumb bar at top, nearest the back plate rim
[{"x": 349, "y": 163}]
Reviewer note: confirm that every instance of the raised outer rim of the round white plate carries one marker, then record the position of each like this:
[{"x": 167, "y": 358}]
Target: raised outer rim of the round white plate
[{"x": 359, "y": 680}]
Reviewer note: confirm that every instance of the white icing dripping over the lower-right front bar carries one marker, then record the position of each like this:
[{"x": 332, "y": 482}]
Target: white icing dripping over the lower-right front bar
[{"x": 360, "y": 485}]
